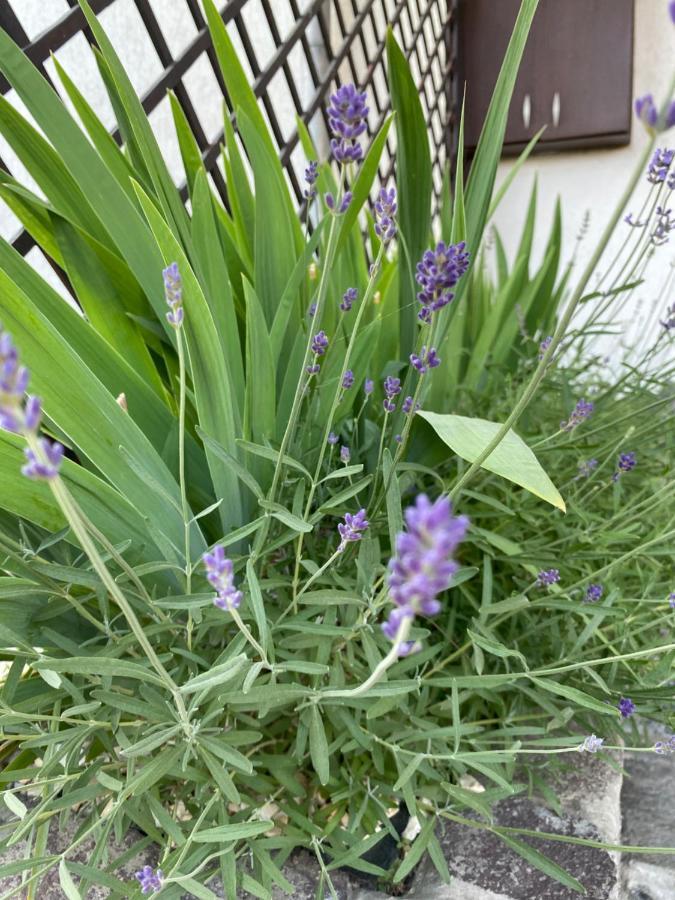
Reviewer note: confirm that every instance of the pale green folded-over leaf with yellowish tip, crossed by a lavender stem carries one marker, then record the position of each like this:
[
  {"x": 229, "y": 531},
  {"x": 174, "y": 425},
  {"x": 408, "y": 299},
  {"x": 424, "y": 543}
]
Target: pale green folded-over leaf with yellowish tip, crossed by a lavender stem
[{"x": 512, "y": 459}]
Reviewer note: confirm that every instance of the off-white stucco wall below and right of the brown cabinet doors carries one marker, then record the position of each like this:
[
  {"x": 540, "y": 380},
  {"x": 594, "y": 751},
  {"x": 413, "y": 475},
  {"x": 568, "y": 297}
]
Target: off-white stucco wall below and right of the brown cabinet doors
[{"x": 591, "y": 181}]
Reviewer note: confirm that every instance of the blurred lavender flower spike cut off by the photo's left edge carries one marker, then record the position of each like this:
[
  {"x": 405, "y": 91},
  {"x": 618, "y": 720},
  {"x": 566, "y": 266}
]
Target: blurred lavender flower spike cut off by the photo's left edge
[{"x": 23, "y": 417}]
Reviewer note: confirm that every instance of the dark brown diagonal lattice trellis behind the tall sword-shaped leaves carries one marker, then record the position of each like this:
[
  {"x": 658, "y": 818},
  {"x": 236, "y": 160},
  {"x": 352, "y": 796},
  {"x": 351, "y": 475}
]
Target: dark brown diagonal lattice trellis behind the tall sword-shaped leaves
[{"x": 296, "y": 52}]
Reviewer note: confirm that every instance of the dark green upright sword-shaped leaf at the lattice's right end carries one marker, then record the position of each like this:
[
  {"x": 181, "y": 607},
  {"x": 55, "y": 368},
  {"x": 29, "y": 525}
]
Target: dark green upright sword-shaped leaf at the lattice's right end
[{"x": 413, "y": 166}]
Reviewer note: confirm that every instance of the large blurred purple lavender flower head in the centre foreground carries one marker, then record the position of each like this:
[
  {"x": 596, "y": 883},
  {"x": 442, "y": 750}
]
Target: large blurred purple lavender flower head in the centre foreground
[{"x": 423, "y": 564}]
